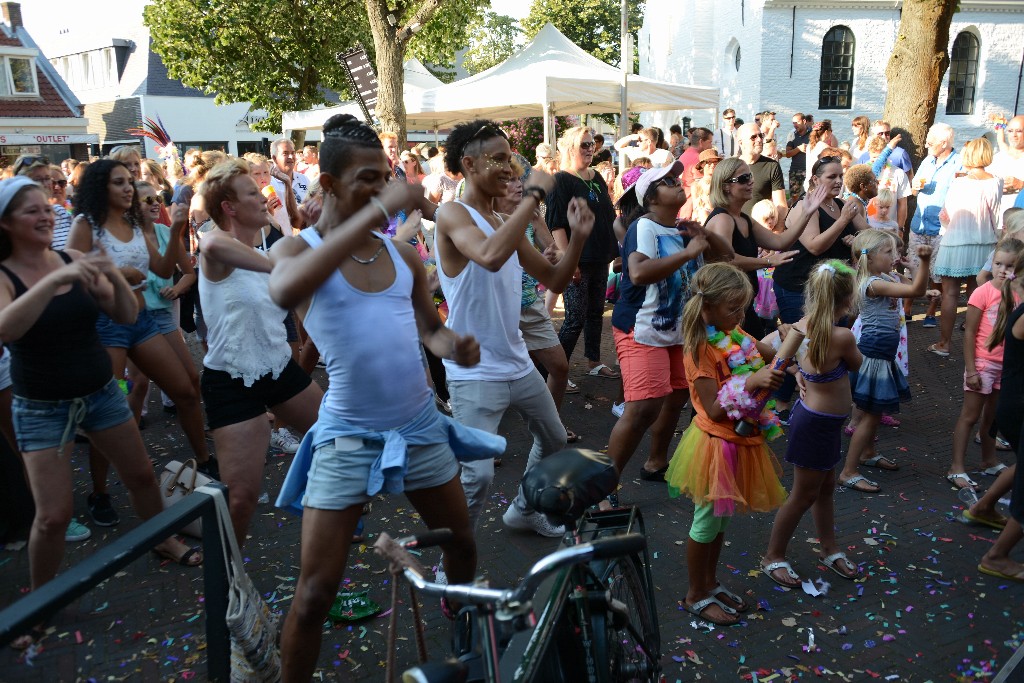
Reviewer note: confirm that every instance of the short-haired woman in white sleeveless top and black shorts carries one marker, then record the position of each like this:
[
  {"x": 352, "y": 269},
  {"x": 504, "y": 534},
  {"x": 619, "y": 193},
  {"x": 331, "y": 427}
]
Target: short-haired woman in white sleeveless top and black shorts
[{"x": 248, "y": 366}]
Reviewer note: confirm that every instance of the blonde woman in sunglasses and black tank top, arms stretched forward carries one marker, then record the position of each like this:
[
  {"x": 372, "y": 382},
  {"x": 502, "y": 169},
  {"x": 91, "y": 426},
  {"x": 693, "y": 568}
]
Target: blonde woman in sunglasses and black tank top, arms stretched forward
[{"x": 732, "y": 188}]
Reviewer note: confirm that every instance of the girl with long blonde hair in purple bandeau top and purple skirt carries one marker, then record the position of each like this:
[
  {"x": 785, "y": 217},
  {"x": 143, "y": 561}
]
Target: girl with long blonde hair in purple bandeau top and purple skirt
[{"x": 828, "y": 357}]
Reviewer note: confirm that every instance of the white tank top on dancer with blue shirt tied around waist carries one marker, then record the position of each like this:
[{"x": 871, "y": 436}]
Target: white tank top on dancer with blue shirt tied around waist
[{"x": 371, "y": 346}]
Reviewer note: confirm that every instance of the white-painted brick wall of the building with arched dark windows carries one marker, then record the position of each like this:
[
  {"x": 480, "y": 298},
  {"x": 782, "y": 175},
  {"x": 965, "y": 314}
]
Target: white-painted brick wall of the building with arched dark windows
[{"x": 688, "y": 41}]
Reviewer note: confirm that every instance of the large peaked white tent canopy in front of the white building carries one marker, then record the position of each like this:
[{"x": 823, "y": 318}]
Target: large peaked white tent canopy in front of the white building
[{"x": 550, "y": 75}]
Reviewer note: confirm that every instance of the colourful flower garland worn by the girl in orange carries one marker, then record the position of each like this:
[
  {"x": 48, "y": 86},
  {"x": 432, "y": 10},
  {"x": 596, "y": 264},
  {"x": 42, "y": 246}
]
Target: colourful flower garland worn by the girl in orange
[{"x": 742, "y": 356}]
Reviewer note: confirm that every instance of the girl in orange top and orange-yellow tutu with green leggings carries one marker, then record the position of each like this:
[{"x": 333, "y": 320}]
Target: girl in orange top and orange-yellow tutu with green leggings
[{"x": 719, "y": 471}]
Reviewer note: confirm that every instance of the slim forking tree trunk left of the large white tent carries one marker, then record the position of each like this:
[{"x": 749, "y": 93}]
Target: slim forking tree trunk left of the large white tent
[{"x": 391, "y": 75}]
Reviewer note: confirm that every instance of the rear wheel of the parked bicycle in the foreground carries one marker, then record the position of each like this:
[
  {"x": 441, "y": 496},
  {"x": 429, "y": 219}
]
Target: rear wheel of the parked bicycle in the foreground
[{"x": 633, "y": 651}]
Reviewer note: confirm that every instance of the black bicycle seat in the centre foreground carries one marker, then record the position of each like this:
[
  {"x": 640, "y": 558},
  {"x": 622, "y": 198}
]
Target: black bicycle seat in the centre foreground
[{"x": 566, "y": 484}]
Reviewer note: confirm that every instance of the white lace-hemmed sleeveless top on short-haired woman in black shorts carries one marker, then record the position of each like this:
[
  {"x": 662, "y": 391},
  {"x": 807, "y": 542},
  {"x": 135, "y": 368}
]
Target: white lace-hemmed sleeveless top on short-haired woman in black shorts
[{"x": 246, "y": 329}]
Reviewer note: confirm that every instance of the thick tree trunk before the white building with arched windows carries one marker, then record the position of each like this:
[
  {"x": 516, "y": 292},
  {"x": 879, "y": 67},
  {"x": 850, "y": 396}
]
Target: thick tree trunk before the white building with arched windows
[{"x": 916, "y": 70}]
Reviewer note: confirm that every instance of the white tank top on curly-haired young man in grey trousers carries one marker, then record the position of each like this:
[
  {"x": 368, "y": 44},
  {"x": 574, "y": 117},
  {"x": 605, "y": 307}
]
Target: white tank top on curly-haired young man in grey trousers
[{"x": 487, "y": 306}]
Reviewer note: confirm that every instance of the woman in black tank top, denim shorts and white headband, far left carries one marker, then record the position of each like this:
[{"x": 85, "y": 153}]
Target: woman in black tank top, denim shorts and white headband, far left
[{"x": 49, "y": 308}]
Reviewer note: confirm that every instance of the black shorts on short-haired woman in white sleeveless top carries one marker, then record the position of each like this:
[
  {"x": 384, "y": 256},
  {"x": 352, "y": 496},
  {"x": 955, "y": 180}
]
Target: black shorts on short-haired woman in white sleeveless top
[{"x": 230, "y": 402}]
